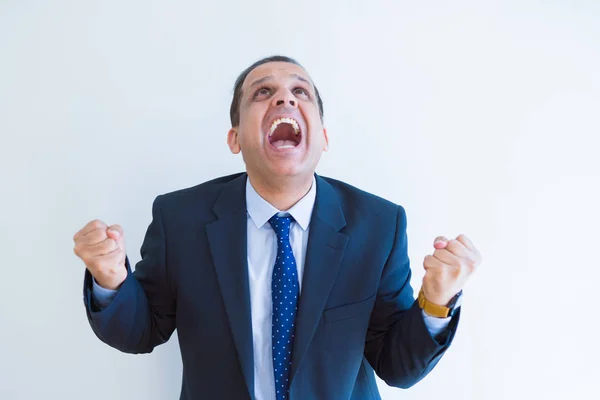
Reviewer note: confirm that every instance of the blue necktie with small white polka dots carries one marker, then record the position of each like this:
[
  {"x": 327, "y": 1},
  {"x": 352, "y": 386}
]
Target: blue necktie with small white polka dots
[{"x": 284, "y": 287}]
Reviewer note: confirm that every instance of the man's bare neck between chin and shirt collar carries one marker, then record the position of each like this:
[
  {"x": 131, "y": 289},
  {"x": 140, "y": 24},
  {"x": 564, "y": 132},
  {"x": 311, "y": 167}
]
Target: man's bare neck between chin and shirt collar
[{"x": 281, "y": 193}]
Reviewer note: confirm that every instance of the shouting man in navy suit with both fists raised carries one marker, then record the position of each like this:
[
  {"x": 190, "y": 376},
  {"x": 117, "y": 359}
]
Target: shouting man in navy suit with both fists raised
[{"x": 282, "y": 284}]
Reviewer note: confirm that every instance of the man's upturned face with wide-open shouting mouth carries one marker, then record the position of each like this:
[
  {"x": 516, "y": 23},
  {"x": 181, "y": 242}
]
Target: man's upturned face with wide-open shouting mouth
[{"x": 280, "y": 133}]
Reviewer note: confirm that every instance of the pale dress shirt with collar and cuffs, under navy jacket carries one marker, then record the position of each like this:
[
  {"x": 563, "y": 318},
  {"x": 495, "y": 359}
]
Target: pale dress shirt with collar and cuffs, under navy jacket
[{"x": 262, "y": 250}]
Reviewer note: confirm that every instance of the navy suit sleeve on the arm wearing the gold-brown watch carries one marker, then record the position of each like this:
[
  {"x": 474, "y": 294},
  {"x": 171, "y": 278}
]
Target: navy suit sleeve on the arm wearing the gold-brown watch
[{"x": 399, "y": 346}]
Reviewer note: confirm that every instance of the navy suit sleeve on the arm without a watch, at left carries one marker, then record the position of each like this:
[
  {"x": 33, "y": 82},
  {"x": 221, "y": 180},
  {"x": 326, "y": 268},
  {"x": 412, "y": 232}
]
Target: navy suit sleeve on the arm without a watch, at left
[{"x": 142, "y": 313}]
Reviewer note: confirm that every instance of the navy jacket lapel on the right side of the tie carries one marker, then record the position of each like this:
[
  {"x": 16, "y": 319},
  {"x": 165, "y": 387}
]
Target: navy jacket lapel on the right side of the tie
[{"x": 324, "y": 253}]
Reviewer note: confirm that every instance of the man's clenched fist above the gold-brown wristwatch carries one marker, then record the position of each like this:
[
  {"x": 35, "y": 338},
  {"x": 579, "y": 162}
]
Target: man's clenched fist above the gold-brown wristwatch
[{"x": 447, "y": 270}]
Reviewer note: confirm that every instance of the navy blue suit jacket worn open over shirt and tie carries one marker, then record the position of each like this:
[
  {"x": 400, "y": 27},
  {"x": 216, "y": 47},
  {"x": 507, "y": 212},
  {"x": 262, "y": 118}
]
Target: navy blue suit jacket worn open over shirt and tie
[{"x": 356, "y": 314}]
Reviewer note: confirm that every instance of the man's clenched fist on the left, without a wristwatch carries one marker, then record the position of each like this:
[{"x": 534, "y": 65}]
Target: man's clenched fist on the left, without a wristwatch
[{"x": 102, "y": 249}]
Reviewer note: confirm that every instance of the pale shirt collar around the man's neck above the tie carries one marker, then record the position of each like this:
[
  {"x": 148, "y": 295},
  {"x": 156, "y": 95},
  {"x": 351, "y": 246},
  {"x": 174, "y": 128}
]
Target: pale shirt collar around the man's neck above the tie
[{"x": 260, "y": 210}]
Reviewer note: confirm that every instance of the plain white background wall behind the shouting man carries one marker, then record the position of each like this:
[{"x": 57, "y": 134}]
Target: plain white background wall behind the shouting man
[{"x": 479, "y": 117}]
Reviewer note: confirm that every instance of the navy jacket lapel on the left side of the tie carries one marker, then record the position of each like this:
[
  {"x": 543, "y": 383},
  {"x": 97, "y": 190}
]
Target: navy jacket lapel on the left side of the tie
[{"x": 228, "y": 246}]
